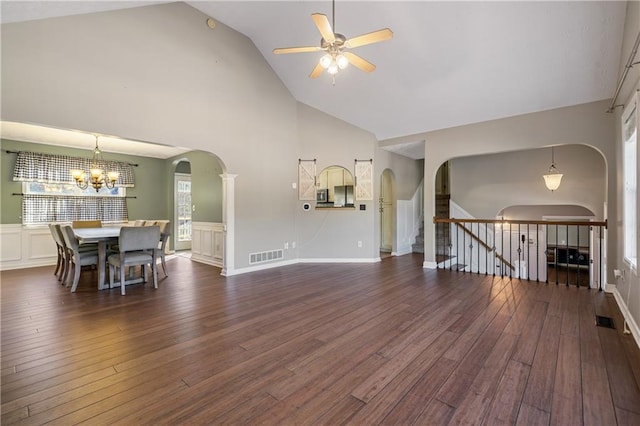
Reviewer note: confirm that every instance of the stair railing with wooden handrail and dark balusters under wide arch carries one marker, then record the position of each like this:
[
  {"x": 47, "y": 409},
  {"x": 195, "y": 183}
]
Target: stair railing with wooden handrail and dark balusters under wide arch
[{"x": 567, "y": 252}]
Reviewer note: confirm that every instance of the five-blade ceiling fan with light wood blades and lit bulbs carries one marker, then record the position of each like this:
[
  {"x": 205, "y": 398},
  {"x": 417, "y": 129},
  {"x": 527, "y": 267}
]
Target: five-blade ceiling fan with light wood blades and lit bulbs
[{"x": 336, "y": 45}]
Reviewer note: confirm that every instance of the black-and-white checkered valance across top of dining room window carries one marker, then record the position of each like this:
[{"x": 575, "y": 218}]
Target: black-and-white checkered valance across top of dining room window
[{"x": 50, "y": 168}]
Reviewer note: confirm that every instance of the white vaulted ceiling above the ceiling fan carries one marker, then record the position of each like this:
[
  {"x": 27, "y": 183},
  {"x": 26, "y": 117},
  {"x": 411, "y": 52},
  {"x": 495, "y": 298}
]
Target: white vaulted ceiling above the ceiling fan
[{"x": 448, "y": 64}]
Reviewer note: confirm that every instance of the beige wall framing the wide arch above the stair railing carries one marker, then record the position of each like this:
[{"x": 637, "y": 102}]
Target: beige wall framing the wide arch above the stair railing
[{"x": 586, "y": 124}]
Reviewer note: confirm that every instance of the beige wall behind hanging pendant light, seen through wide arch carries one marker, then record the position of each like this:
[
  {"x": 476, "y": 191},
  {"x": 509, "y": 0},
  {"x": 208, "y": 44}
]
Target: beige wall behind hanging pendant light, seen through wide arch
[{"x": 485, "y": 184}]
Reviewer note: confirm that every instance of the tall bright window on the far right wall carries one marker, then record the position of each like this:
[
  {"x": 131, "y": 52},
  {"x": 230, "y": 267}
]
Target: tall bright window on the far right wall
[{"x": 630, "y": 170}]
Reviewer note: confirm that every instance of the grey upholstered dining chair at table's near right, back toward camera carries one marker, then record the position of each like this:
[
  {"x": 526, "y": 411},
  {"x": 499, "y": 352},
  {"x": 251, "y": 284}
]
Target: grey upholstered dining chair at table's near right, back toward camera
[{"x": 138, "y": 245}]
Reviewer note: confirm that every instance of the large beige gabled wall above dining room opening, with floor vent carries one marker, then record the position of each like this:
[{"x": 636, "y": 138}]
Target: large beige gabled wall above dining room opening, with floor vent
[{"x": 159, "y": 74}]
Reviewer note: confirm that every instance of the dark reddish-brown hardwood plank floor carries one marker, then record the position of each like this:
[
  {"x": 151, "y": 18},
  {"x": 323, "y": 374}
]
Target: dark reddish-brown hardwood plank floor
[{"x": 386, "y": 343}]
